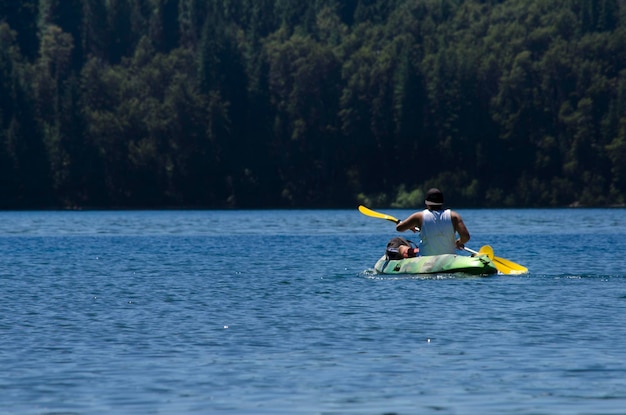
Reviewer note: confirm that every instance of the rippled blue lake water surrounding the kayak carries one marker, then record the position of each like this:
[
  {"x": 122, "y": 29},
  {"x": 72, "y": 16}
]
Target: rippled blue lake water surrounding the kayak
[{"x": 280, "y": 312}]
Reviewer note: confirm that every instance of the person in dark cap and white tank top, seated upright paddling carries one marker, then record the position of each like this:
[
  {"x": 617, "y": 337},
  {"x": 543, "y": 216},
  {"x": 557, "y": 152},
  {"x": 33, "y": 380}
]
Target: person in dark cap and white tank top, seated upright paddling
[{"x": 438, "y": 227}]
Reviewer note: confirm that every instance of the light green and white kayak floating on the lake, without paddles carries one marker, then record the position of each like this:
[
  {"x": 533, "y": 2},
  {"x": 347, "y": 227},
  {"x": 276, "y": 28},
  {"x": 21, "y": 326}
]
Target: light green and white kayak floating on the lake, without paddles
[{"x": 437, "y": 264}]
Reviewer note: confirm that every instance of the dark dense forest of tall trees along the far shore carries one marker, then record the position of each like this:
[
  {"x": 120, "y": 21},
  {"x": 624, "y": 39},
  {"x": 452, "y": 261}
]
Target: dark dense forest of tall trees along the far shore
[{"x": 250, "y": 104}]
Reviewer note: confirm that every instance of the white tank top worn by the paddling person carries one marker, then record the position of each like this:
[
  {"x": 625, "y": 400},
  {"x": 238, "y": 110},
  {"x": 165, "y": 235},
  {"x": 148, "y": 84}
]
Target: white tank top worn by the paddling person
[{"x": 437, "y": 233}]
